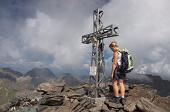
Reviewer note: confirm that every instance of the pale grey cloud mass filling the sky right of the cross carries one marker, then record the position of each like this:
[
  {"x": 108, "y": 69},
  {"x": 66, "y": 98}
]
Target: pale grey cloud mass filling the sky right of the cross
[{"x": 144, "y": 30}]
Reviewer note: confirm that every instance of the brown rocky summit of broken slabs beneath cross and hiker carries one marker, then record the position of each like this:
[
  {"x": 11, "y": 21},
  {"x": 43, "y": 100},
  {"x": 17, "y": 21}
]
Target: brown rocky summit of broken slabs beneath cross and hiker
[{"x": 58, "y": 97}]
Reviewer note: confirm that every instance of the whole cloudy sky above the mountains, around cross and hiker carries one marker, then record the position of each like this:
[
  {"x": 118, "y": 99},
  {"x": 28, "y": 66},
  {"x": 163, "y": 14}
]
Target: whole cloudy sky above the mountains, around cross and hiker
[{"x": 47, "y": 33}]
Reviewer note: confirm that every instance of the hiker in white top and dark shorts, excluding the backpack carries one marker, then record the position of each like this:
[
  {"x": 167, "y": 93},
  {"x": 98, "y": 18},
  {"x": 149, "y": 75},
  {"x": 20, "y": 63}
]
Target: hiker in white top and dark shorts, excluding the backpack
[{"x": 117, "y": 75}]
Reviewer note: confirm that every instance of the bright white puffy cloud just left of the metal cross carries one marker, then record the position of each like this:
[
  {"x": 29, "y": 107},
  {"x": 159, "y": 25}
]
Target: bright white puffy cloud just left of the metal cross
[{"x": 51, "y": 36}]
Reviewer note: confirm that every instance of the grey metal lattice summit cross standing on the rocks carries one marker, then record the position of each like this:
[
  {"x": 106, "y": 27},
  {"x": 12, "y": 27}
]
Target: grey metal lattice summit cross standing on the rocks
[{"x": 97, "y": 69}]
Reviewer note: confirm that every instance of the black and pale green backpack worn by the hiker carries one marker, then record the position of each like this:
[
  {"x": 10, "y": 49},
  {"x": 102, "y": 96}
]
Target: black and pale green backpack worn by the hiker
[{"x": 126, "y": 61}]
